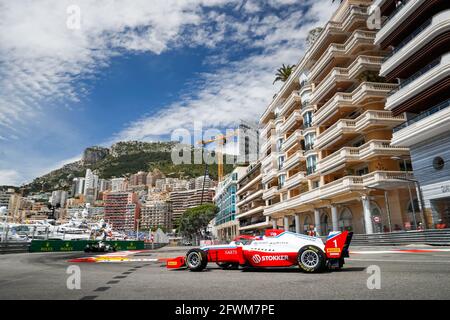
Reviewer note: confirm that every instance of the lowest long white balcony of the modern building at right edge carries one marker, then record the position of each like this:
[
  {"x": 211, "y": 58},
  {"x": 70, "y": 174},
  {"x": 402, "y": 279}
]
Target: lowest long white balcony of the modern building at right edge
[{"x": 425, "y": 126}]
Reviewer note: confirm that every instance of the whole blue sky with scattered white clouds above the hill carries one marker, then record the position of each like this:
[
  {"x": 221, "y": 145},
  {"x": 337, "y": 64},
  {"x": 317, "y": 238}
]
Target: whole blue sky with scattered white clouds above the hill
[{"x": 136, "y": 70}]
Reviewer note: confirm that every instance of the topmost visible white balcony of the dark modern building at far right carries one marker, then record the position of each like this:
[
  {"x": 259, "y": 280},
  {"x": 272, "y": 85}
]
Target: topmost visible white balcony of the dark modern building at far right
[{"x": 396, "y": 18}]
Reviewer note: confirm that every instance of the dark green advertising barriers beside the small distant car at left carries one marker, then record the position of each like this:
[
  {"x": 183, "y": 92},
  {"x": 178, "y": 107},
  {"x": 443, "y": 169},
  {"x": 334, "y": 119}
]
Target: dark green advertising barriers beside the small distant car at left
[{"x": 79, "y": 245}]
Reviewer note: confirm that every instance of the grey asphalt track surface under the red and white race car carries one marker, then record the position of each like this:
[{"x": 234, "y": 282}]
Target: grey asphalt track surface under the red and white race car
[{"x": 404, "y": 275}]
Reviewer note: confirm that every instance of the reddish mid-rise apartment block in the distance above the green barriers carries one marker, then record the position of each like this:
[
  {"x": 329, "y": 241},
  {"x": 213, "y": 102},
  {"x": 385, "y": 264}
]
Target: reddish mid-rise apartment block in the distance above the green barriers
[{"x": 121, "y": 209}]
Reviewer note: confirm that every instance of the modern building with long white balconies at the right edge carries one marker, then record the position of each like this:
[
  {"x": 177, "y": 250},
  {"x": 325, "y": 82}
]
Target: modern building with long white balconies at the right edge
[{"x": 417, "y": 36}]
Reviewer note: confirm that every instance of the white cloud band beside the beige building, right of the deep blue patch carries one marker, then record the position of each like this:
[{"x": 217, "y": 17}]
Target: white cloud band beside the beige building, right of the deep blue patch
[{"x": 239, "y": 90}]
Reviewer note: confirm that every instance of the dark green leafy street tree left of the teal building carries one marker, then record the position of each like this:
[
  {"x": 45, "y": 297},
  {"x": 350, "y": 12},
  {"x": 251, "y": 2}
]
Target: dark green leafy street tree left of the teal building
[{"x": 195, "y": 220}]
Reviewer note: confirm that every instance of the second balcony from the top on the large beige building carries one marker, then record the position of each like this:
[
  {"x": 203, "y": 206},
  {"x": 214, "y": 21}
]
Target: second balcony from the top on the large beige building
[{"x": 336, "y": 53}]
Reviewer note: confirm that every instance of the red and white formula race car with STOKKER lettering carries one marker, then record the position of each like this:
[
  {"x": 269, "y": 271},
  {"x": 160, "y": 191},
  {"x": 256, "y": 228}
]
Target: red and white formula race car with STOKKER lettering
[{"x": 277, "y": 248}]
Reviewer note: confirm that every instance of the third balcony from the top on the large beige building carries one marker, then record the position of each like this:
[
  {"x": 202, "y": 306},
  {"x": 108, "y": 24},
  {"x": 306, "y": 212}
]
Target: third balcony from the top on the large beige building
[{"x": 344, "y": 77}]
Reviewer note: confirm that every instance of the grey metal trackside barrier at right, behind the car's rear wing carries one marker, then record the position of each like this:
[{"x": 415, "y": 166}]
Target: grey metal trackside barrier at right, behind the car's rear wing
[{"x": 438, "y": 237}]
